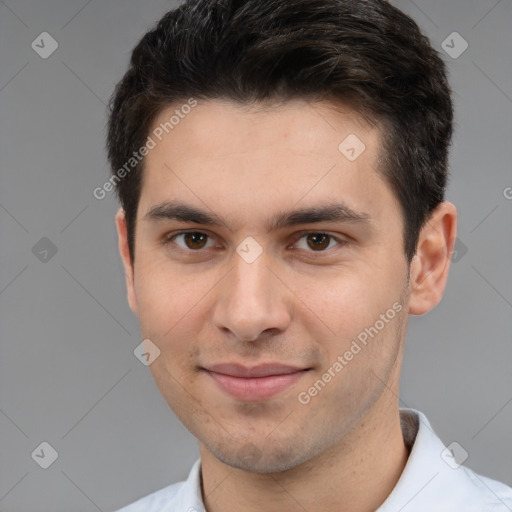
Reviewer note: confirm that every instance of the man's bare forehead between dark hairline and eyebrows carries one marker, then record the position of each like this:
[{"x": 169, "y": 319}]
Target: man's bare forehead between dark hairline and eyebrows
[{"x": 263, "y": 155}]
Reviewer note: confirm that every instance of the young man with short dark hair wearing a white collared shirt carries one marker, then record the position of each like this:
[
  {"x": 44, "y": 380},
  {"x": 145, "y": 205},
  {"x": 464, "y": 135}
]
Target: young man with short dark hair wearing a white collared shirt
[{"x": 281, "y": 168}]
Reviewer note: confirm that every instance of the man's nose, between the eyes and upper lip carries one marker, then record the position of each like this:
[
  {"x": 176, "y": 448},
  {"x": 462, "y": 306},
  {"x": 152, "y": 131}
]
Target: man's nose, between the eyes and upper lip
[{"x": 252, "y": 300}]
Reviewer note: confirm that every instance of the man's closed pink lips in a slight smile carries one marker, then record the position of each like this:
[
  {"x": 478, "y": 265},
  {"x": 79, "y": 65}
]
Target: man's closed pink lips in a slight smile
[{"x": 257, "y": 383}]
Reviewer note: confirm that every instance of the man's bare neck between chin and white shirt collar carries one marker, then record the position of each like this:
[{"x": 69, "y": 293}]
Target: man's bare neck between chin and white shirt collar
[{"x": 356, "y": 475}]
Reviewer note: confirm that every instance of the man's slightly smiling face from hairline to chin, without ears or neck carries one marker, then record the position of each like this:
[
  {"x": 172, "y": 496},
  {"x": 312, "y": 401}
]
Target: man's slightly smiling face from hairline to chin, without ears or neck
[{"x": 294, "y": 297}]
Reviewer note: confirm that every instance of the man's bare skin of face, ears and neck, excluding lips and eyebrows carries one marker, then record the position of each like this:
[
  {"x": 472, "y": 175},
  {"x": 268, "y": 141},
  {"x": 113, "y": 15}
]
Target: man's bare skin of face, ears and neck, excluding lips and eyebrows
[{"x": 201, "y": 303}]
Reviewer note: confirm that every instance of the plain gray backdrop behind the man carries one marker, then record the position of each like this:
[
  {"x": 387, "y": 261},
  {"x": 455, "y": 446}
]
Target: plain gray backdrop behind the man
[{"x": 68, "y": 375}]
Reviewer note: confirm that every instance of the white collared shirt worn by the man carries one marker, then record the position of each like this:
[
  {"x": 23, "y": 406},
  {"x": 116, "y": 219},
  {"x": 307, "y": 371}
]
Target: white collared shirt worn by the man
[{"x": 432, "y": 481}]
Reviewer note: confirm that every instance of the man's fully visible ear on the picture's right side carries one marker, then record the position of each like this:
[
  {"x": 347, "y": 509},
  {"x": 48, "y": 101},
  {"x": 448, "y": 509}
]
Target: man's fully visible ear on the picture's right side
[{"x": 431, "y": 263}]
